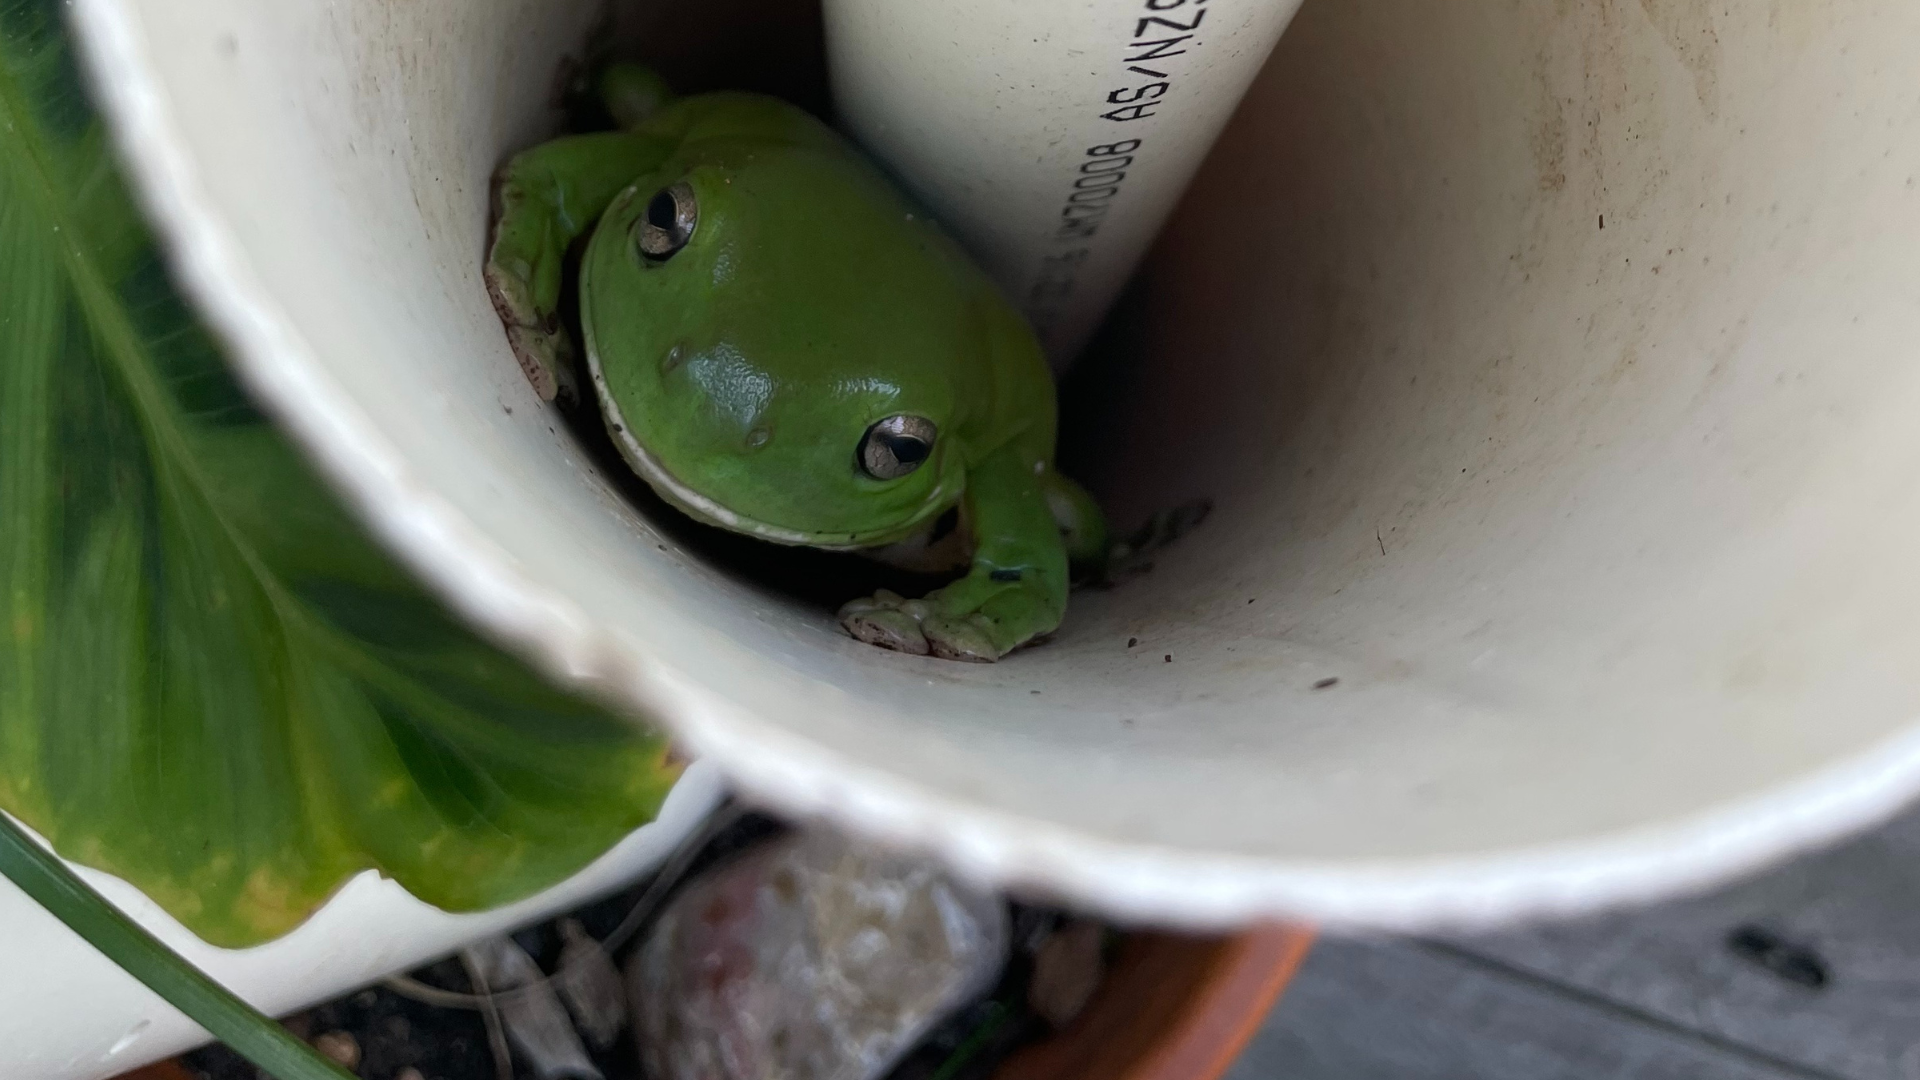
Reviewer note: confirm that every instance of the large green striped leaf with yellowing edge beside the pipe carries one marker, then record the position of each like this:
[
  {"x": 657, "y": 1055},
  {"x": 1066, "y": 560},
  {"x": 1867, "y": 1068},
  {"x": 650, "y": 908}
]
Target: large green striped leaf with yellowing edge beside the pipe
[{"x": 212, "y": 683}]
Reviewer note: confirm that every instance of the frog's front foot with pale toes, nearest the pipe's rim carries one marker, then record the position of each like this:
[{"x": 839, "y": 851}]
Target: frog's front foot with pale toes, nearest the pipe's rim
[{"x": 953, "y": 624}]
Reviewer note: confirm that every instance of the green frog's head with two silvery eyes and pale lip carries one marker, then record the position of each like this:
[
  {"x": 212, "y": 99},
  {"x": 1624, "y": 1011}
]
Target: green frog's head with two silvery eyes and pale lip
[{"x": 784, "y": 349}]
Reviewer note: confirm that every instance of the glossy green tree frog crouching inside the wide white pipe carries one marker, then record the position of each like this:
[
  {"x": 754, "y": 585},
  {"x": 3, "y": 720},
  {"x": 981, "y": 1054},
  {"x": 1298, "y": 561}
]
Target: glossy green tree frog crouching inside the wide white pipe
[{"x": 782, "y": 345}]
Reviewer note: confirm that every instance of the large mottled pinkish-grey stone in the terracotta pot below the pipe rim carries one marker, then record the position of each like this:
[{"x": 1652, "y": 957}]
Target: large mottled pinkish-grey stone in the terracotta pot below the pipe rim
[{"x": 809, "y": 958}]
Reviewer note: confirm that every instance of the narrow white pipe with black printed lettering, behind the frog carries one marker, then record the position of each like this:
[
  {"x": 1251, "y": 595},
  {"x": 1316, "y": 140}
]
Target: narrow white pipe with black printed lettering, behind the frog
[{"x": 1051, "y": 139}]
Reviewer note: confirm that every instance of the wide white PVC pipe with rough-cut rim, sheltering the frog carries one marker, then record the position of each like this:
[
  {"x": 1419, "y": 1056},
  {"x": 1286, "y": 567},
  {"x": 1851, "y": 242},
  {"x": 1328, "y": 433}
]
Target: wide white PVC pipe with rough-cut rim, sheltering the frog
[{"x": 1550, "y": 366}]
